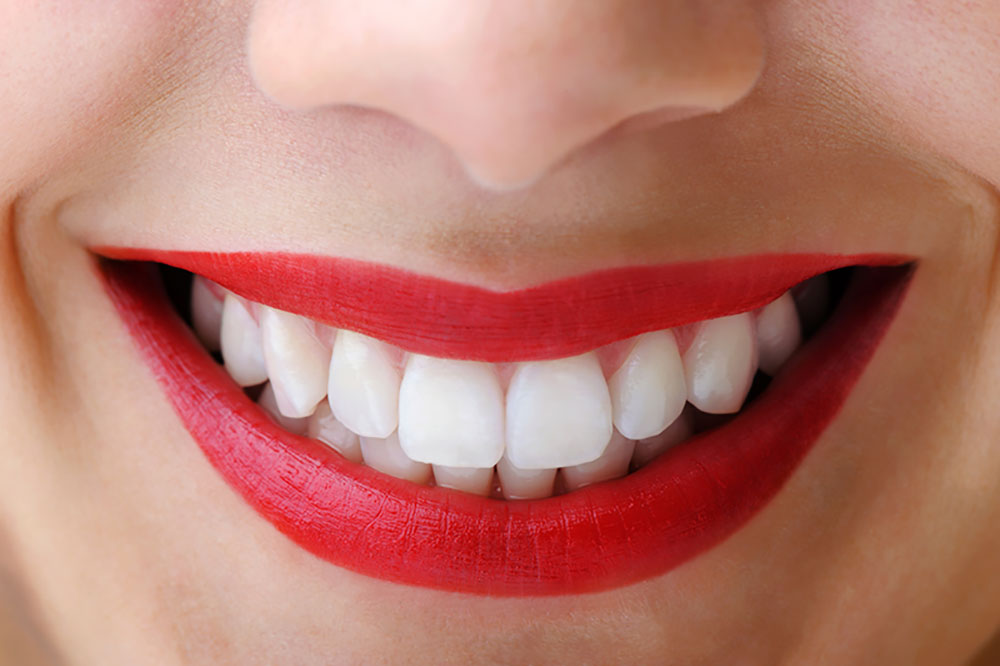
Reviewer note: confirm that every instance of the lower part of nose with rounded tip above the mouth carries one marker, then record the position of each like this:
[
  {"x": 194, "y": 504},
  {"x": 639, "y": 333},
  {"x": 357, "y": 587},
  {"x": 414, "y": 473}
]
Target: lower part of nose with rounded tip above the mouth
[{"x": 510, "y": 86}]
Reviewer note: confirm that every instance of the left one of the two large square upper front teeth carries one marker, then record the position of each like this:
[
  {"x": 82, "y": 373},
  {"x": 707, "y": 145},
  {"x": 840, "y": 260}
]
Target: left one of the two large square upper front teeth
[{"x": 451, "y": 412}]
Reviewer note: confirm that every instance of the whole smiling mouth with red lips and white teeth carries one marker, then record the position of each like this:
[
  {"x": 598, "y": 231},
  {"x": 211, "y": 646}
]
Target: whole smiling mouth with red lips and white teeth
[{"x": 572, "y": 437}]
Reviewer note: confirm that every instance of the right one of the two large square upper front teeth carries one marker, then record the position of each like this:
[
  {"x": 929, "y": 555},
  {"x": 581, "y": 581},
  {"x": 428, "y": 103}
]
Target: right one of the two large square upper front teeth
[{"x": 558, "y": 413}]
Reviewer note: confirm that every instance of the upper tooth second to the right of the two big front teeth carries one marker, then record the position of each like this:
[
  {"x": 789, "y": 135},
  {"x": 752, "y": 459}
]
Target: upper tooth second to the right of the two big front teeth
[{"x": 720, "y": 363}]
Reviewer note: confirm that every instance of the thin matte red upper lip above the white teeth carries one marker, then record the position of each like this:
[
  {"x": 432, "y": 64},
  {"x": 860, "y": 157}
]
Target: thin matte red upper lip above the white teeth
[{"x": 429, "y": 315}]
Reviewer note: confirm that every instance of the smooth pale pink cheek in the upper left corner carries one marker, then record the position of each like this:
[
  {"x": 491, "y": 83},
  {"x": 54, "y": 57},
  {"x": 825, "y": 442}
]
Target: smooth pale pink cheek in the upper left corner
[{"x": 68, "y": 67}]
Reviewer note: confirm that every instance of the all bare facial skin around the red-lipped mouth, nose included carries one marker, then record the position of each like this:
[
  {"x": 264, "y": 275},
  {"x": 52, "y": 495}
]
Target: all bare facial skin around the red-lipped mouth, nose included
[{"x": 503, "y": 144}]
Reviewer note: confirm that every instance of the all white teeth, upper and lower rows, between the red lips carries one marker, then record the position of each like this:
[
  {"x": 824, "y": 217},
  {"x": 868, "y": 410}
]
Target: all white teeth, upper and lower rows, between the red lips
[{"x": 448, "y": 418}]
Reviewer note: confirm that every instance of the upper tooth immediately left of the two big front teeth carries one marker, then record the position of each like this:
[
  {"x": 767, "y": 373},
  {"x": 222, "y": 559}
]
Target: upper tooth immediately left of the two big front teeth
[{"x": 364, "y": 385}]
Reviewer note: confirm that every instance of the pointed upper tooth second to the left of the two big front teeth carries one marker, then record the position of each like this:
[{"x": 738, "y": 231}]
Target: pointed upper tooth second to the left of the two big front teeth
[{"x": 297, "y": 362}]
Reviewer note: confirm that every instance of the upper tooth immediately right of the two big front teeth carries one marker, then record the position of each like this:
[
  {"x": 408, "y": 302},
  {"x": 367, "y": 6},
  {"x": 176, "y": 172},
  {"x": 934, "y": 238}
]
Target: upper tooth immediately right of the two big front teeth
[{"x": 648, "y": 390}]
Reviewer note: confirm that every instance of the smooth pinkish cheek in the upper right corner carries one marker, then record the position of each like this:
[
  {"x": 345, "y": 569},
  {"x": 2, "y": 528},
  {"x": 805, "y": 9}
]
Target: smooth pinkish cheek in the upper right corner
[{"x": 932, "y": 67}]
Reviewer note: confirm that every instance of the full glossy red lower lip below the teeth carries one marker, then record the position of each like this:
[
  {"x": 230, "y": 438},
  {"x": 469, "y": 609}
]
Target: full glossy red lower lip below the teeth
[{"x": 608, "y": 535}]
